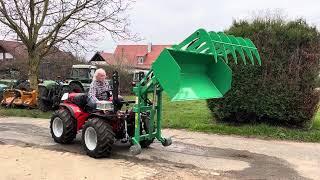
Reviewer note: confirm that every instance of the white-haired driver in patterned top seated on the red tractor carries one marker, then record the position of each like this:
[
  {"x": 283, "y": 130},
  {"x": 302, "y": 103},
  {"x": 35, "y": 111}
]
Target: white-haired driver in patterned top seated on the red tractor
[{"x": 99, "y": 88}]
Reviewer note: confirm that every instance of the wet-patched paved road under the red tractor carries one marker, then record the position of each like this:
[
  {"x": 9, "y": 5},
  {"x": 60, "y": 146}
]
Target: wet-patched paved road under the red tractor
[{"x": 28, "y": 152}]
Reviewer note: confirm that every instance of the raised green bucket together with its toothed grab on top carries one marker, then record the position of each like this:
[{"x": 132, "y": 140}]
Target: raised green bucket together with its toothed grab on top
[{"x": 197, "y": 68}]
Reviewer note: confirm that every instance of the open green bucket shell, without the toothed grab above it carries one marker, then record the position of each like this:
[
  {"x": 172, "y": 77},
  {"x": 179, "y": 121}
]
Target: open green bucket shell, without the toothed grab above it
[{"x": 191, "y": 76}]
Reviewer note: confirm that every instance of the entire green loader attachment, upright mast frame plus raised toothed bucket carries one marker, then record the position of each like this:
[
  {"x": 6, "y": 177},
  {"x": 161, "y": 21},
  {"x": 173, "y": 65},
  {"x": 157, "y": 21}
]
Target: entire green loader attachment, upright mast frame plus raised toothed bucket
[{"x": 195, "y": 69}]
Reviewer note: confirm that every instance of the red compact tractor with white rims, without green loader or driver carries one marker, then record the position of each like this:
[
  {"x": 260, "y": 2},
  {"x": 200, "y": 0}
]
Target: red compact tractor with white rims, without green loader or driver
[{"x": 101, "y": 127}]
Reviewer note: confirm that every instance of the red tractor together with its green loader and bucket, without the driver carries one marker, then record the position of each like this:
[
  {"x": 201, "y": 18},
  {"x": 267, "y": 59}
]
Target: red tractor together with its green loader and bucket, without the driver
[{"x": 195, "y": 69}]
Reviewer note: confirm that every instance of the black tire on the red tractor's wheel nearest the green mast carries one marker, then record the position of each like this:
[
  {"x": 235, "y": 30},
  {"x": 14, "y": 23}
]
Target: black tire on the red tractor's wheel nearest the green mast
[{"x": 105, "y": 138}]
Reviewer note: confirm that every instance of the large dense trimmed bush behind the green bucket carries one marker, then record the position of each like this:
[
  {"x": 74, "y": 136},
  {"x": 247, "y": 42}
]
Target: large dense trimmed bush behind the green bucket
[{"x": 282, "y": 89}]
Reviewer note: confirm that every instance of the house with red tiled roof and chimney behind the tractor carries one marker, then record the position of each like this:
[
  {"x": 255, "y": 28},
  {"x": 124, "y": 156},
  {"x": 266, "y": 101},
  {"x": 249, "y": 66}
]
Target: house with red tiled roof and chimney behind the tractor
[{"x": 134, "y": 58}]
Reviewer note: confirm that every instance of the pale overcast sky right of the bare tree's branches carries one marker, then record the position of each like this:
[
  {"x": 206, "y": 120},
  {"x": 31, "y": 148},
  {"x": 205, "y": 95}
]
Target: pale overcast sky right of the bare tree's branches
[{"x": 170, "y": 21}]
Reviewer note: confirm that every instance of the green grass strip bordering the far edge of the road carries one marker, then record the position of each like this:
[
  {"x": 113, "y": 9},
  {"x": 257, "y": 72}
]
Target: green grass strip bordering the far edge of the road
[{"x": 195, "y": 116}]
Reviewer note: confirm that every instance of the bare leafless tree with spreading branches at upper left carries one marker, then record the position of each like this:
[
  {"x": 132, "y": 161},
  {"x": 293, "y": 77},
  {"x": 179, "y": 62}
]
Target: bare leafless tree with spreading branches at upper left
[{"x": 43, "y": 25}]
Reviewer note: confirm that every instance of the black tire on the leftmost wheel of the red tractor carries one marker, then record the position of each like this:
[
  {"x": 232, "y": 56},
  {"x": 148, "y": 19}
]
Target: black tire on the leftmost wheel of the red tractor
[{"x": 69, "y": 126}]
